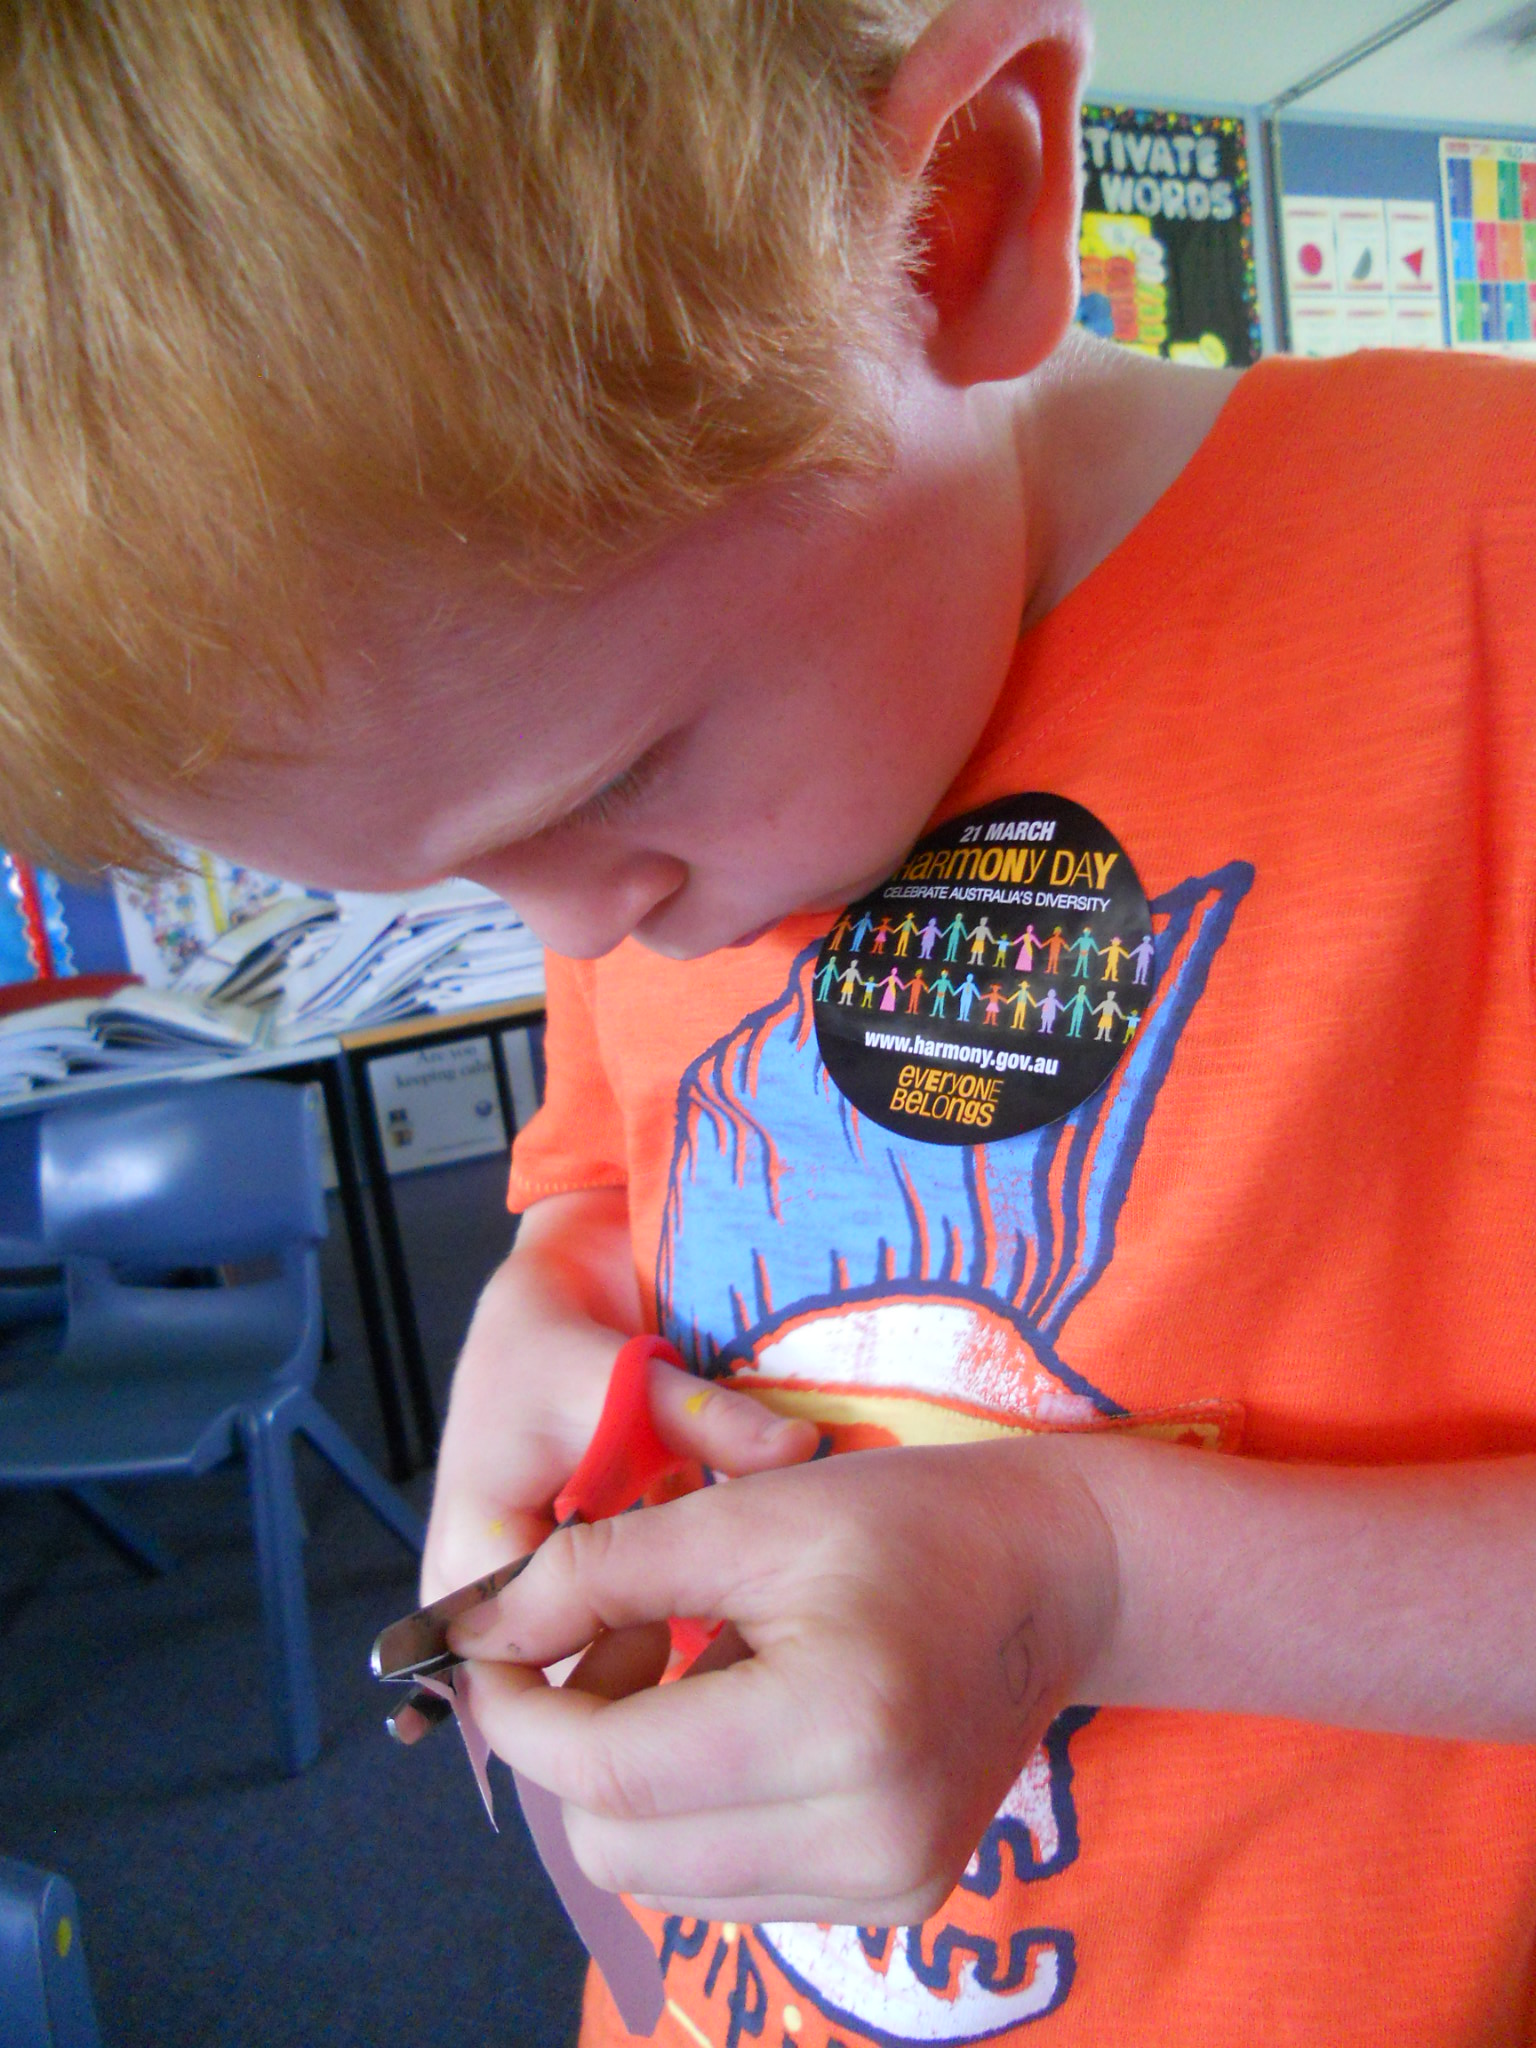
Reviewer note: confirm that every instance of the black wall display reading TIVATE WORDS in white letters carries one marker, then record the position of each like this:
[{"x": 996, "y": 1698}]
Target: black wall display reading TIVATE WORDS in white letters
[{"x": 1168, "y": 234}]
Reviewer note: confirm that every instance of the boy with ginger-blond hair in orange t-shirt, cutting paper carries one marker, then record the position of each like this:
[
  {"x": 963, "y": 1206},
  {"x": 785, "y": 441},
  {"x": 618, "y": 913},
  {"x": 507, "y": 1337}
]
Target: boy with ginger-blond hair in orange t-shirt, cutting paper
[{"x": 640, "y": 460}]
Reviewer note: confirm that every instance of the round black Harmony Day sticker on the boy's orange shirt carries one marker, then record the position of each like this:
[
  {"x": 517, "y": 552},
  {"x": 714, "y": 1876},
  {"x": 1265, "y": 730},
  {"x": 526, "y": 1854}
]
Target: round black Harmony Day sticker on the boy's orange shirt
[{"x": 994, "y": 982}]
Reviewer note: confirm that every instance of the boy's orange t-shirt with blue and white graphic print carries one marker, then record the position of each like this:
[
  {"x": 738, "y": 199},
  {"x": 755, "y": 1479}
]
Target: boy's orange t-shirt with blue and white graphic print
[{"x": 1295, "y": 1226}]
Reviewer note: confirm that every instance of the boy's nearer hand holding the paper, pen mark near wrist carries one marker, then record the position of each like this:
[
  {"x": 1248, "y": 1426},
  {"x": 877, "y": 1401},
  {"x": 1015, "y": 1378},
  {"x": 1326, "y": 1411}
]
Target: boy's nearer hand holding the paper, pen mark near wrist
[{"x": 914, "y": 1621}]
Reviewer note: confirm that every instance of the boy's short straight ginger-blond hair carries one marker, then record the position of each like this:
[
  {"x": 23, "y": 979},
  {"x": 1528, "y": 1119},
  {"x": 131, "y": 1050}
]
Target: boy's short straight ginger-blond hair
[{"x": 296, "y": 271}]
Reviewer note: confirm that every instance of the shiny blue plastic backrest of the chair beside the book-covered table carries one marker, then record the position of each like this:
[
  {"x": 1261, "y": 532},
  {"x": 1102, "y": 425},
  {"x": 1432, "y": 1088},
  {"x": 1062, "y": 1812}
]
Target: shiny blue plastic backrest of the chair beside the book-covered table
[{"x": 181, "y": 1175}]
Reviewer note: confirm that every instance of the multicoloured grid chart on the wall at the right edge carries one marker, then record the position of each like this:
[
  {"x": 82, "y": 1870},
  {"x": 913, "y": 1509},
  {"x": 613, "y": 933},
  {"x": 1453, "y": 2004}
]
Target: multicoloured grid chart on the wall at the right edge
[{"x": 1490, "y": 191}]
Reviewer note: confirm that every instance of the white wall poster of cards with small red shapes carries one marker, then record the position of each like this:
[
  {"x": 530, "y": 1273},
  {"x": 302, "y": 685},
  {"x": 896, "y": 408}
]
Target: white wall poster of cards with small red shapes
[{"x": 1363, "y": 273}]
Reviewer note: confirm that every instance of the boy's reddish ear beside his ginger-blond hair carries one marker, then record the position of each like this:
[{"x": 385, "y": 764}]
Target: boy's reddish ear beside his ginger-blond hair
[{"x": 984, "y": 110}]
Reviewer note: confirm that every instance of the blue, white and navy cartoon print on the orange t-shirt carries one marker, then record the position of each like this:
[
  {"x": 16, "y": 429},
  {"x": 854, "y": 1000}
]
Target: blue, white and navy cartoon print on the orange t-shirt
[{"x": 906, "y": 1293}]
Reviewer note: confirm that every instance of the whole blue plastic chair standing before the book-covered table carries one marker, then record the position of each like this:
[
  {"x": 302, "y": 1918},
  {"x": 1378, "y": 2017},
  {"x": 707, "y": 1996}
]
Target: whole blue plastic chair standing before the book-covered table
[{"x": 155, "y": 1379}]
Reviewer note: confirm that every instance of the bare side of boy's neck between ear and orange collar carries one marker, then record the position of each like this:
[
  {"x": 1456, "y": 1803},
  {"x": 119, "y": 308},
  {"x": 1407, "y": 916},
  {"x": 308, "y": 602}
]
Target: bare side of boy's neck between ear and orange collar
[{"x": 1103, "y": 433}]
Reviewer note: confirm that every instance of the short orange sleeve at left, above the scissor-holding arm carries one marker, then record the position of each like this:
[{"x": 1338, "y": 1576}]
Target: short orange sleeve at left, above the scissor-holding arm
[{"x": 577, "y": 1140}]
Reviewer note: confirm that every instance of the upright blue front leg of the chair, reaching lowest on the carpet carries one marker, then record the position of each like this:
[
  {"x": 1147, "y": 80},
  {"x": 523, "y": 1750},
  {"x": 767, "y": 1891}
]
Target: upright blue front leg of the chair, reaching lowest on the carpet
[{"x": 286, "y": 1609}]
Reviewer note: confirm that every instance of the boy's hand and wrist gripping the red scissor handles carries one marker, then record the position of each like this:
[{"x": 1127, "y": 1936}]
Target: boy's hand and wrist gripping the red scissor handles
[{"x": 529, "y": 1392}]
